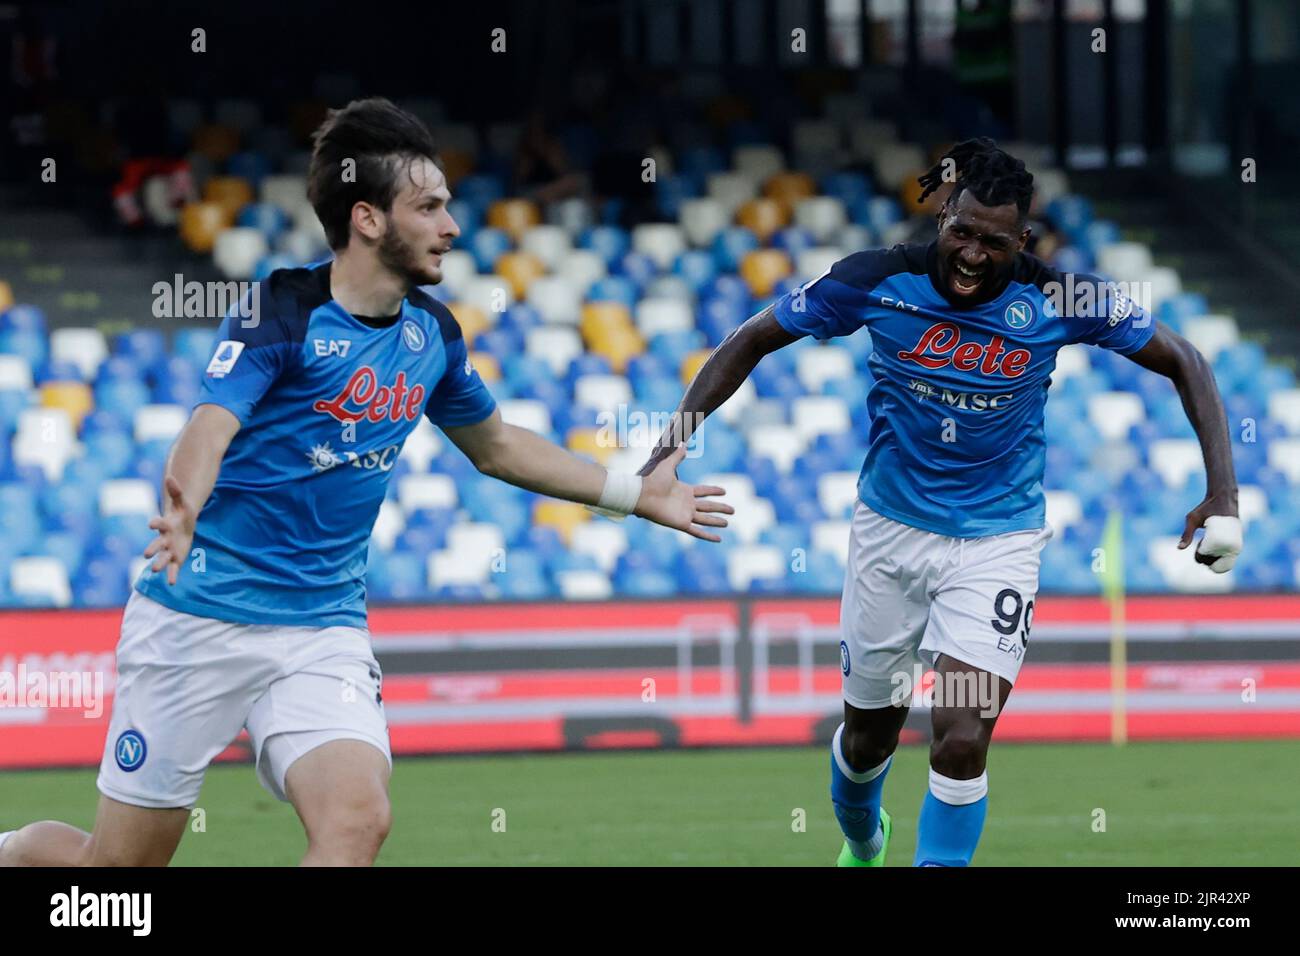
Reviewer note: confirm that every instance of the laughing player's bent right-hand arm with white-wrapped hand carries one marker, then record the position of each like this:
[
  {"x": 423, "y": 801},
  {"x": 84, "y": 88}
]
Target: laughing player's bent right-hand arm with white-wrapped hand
[{"x": 1177, "y": 360}]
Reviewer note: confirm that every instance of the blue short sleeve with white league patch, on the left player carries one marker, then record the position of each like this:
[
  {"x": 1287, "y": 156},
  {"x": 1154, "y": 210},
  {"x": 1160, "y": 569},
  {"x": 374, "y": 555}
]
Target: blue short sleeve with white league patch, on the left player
[{"x": 249, "y": 358}]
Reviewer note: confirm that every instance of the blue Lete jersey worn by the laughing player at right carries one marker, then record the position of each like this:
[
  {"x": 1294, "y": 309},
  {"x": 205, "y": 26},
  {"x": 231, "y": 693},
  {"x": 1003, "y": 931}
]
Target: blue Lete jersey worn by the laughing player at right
[{"x": 959, "y": 392}]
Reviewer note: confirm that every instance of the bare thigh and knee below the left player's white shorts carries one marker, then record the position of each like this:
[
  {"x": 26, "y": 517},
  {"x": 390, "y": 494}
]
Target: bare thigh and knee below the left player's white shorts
[{"x": 340, "y": 786}]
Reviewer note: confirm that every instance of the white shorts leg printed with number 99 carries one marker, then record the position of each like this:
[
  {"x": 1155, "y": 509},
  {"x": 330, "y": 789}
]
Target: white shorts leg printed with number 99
[{"x": 983, "y": 613}]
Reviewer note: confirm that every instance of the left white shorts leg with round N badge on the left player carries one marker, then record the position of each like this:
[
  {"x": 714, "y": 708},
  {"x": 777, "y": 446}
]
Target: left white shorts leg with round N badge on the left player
[{"x": 185, "y": 686}]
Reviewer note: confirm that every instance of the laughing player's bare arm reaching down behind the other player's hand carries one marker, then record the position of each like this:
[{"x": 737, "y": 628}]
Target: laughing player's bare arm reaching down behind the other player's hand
[{"x": 718, "y": 379}]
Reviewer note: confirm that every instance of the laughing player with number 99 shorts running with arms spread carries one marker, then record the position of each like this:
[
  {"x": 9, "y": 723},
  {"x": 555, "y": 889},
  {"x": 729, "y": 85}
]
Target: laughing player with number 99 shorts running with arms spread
[{"x": 950, "y": 522}]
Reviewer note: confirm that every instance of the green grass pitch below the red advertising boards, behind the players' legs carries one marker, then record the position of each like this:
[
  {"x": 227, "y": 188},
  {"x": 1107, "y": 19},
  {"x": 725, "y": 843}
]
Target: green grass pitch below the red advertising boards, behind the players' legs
[{"x": 1165, "y": 804}]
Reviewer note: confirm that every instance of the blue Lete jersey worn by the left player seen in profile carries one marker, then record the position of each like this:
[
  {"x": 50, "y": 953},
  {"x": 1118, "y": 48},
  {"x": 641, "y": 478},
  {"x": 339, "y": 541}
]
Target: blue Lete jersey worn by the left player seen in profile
[{"x": 326, "y": 403}]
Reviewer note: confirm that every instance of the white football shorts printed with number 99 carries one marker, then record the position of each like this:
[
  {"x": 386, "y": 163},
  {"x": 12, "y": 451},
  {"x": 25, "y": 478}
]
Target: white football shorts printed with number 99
[{"x": 912, "y": 595}]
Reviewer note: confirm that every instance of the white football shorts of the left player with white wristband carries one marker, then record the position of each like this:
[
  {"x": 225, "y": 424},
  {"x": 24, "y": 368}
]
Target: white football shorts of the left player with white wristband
[{"x": 187, "y": 686}]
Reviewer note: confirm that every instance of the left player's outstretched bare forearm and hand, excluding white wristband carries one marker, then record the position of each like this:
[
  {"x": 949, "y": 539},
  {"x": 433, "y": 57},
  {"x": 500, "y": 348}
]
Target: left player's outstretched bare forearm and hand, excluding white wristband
[{"x": 525, "y": 458}]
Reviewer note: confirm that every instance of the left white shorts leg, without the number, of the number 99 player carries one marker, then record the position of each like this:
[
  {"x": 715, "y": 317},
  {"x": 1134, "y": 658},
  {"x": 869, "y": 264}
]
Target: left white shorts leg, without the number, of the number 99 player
[{"x": 885, "y": 611}]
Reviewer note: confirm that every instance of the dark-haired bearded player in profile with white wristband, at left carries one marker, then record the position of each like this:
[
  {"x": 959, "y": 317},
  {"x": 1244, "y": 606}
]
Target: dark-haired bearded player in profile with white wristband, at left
[{"x": 253, "y": 612}]
